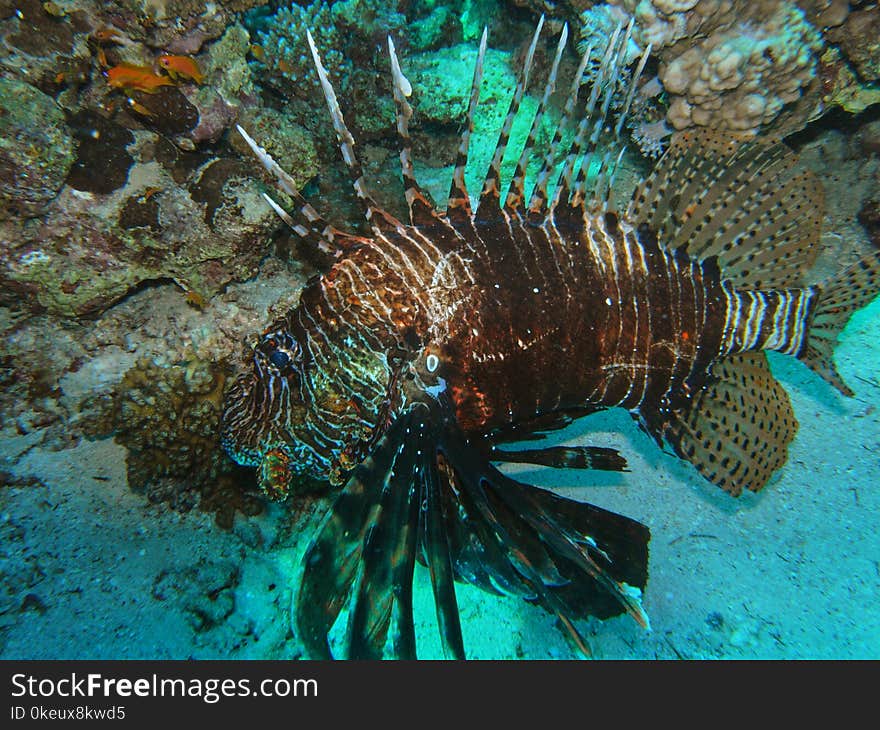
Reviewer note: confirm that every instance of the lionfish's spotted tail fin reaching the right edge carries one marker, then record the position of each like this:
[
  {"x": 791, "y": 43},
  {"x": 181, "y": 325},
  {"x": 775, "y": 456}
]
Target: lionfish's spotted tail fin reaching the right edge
[{"x": 853, "y": 288}]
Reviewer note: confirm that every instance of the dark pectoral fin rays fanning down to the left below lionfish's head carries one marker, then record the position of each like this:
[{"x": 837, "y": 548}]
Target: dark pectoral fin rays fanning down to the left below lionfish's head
[{"x": 363, "y": 543}]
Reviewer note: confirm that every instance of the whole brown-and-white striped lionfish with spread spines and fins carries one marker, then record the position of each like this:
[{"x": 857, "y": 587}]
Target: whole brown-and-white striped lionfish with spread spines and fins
[{"x": 429, "y": 344}]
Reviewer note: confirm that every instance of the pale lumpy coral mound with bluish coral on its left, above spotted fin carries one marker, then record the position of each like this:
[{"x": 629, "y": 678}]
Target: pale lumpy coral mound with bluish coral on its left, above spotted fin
[{"x": 726, "y": 64}]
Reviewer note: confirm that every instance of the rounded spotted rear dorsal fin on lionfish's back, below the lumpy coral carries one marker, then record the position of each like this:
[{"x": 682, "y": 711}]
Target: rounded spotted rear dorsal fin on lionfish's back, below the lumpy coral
[{"x": 739, "y": 202}]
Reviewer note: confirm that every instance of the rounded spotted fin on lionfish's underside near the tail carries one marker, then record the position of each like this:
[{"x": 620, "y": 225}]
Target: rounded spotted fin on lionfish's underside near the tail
[{"x": 737, "y": 428}]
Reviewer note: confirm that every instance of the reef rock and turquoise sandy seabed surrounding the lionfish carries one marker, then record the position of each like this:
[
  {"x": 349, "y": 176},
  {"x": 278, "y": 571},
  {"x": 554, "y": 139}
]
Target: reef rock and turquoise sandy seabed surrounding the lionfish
[{"x": 137, "y": 258}]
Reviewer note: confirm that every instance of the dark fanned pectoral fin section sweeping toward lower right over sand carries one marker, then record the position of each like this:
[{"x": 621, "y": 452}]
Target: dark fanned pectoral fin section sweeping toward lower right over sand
[{"x": 577, "y": 560}]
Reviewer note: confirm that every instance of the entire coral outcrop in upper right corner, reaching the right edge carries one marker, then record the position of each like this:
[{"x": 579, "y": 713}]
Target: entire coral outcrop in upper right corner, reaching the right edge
[{"x": 770, "y": 66}]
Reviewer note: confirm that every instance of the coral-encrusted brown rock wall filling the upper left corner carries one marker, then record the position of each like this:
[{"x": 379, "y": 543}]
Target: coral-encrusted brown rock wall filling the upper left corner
[{"x": 119, "y": 187}]
